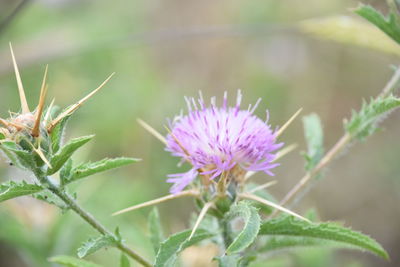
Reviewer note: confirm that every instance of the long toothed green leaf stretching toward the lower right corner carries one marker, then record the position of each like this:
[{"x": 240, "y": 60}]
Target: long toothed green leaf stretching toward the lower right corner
[{"x": 290, "y": 226}]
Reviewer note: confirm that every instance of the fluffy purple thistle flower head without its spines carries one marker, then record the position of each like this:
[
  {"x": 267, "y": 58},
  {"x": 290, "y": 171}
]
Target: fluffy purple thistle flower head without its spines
[{"x": 215, "y": 140}]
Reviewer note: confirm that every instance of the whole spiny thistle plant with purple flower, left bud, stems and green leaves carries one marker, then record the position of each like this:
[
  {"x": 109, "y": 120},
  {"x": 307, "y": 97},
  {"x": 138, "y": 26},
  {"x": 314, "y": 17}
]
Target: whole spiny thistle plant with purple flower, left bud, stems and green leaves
[{"x": 224, "y": 146}]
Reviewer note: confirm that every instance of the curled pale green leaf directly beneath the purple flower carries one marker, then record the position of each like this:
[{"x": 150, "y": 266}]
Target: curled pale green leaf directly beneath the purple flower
[{"x": 251, "y": 226}]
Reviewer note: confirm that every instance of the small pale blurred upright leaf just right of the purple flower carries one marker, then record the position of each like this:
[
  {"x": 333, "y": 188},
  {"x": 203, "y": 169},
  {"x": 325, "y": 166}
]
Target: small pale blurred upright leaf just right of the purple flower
[{"x": 315, "y": 140}]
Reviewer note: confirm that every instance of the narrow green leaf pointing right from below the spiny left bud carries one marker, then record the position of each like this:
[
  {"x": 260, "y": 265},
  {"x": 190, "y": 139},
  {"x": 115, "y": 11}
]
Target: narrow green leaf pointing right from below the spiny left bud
[{"x": 88, "y": 169}]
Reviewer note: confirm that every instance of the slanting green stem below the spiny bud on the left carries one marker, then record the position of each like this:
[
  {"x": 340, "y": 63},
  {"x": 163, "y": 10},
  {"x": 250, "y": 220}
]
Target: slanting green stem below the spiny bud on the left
[{"x": 72, "y": 204}]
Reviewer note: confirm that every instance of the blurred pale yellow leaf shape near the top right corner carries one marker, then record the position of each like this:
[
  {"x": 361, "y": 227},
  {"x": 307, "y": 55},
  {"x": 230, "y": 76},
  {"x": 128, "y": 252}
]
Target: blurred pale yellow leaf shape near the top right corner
[{"x": 350, "y": 31}]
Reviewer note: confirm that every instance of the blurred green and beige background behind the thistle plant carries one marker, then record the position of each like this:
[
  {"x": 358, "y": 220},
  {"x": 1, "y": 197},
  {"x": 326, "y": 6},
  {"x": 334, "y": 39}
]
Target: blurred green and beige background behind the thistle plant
[{"x": 163, "y": 50}]
